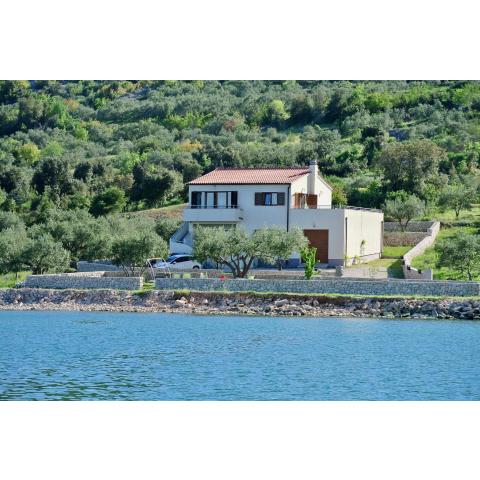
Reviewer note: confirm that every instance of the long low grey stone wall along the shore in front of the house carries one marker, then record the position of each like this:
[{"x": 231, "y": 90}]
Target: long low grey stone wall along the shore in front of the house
[{"x": 324, "y": 286}]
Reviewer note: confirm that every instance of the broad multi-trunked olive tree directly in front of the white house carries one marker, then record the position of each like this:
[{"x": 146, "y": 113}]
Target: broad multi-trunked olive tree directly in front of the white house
[{"x": 237, "y": 250}]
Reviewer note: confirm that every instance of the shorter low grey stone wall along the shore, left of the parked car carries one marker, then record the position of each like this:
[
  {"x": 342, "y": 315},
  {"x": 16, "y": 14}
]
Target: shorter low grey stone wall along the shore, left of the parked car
[{"x": 83, "y": 280}]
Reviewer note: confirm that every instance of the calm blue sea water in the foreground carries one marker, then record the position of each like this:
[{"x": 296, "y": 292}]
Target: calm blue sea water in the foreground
[{"x": 112, "y": 356}]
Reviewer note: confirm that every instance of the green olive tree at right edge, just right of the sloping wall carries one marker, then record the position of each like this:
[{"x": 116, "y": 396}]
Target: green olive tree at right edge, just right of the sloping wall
[{"x": 461, "y": 253}]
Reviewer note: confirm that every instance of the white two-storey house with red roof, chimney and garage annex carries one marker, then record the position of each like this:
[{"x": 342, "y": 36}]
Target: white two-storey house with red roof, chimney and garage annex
[{"x": 286, "y": 197}]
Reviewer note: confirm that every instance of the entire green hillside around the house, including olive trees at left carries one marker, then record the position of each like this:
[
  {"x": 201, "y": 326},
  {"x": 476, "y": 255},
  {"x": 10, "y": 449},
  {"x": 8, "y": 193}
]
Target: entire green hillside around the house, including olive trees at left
[{"x": 73, "y": 151}]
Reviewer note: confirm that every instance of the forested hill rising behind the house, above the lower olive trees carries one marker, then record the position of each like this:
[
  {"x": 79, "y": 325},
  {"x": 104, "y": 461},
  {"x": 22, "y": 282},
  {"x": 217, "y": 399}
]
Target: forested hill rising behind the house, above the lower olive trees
[{"x": 108, "y": 146}]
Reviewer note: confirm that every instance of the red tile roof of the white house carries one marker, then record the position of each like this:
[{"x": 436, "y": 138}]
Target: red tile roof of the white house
[{"x": 245, "y": 176}]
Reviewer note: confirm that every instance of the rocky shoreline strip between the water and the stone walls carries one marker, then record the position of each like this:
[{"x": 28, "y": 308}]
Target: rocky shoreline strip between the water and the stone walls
[{"x": 212, "y": 303}]
